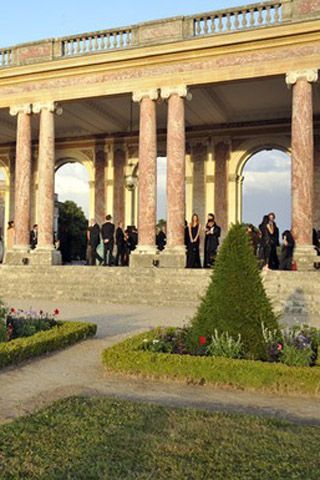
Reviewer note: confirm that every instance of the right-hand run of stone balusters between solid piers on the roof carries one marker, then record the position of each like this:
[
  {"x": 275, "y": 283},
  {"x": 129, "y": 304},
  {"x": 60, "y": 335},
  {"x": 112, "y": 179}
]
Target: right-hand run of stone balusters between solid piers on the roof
[{"x": 239, "y": 18}]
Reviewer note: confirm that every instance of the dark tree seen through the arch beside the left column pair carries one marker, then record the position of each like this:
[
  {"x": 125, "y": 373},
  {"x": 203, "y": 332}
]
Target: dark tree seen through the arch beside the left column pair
[{"x": 72, "y": 231}]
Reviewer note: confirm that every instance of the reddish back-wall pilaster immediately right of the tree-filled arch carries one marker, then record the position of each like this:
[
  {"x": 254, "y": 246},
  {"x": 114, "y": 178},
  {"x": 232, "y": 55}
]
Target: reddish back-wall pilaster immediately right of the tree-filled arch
[{"x": 100, "y": 185}]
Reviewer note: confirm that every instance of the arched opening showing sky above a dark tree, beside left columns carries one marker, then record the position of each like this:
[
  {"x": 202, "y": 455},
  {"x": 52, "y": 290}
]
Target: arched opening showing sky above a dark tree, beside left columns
[{"x": 72, "y": 209}]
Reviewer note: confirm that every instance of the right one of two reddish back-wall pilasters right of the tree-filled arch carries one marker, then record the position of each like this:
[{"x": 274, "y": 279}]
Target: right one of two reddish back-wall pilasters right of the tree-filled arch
[{"x": 118, "y": 191}]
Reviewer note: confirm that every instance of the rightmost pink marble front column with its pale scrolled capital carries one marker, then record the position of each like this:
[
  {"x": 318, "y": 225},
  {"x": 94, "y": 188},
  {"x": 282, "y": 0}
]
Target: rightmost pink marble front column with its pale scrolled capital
[{"x": 302, "y": 155}]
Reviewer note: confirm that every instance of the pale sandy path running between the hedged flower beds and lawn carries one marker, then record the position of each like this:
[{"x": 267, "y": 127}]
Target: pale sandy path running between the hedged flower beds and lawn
[{"x": 78, "y": 370}]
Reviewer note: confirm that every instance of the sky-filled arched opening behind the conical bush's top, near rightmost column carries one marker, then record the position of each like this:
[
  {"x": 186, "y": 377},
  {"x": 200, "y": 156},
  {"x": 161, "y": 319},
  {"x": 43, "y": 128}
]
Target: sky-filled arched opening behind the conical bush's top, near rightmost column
[{"x": 266, "y": 177}]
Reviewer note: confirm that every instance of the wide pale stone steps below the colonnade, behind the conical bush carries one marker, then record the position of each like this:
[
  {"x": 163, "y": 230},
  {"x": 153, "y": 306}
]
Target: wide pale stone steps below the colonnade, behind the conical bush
[{"x": 296, "y": 295}]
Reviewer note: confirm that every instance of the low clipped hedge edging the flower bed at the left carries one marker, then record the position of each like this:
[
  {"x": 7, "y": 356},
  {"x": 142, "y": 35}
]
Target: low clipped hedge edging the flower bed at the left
[{"x": 61, "y": 336}]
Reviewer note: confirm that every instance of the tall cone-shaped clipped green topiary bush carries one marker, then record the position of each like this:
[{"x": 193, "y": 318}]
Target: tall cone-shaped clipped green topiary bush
[{"x": 236, "y": 301}]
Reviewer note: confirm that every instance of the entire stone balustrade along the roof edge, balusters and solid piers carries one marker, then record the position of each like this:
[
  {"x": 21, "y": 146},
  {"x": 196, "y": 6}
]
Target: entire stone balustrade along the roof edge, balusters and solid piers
[{"x": 219, "y": 22}]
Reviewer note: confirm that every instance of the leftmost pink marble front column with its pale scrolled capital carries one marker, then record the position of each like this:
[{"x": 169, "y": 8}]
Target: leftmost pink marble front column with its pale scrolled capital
[{"x": 22, "y": 176}]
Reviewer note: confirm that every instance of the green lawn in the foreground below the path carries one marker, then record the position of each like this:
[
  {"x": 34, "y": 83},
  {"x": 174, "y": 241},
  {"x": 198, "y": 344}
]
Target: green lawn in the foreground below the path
[{"x": 98, "y": 438}]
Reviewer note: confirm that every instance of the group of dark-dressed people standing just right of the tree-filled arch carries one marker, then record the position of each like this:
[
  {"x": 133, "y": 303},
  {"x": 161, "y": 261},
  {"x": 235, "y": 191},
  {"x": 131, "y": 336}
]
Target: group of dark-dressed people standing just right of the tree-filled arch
[{"x": 125, "y": 241}]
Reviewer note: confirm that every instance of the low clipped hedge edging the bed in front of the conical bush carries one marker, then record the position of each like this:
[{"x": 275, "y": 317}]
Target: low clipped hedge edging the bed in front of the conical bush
[{"x": 126, "y": 358}]
